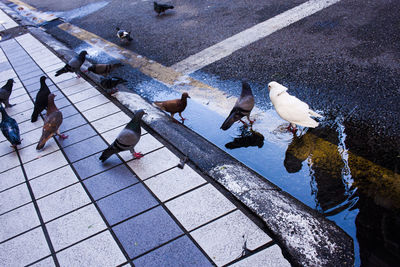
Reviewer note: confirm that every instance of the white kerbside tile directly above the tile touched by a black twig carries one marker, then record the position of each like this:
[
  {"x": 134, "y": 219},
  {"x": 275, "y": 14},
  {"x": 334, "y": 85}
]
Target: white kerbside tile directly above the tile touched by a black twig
[{"x": 199, "y": 206}]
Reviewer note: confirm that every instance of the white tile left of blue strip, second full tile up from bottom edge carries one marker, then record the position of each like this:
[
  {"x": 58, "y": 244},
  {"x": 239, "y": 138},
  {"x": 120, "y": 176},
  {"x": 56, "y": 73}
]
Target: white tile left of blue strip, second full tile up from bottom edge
[{"x": 62, "y": 202}]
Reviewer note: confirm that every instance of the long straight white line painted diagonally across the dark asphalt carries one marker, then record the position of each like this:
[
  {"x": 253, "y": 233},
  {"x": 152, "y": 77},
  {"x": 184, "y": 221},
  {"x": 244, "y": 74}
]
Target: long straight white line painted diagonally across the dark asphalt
[{"x": 249, "y": 36}]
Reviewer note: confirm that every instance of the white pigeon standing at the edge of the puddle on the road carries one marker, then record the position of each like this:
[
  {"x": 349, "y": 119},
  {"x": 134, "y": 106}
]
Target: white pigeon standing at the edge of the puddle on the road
[{"x": 290, "y": 108}]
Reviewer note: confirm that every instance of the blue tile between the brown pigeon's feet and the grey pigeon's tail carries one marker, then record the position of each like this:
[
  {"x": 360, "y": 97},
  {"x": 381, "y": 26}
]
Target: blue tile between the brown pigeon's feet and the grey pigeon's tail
[{"x": 85, "y": 148}]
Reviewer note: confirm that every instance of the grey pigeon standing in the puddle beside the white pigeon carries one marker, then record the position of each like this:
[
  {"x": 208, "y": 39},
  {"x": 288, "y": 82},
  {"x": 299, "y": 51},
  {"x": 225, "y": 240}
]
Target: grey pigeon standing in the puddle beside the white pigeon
[{"x": 242, "y": 107}]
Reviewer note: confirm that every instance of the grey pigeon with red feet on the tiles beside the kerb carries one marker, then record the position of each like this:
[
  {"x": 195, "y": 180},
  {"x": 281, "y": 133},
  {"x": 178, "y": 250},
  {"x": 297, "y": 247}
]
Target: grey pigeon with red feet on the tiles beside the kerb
[{"x": 127, "y": 138}]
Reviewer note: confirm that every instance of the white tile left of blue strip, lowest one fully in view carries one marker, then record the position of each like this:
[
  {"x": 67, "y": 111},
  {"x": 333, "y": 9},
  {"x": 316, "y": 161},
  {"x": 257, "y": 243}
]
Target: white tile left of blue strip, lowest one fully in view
[{"x": 75, "y": 226}]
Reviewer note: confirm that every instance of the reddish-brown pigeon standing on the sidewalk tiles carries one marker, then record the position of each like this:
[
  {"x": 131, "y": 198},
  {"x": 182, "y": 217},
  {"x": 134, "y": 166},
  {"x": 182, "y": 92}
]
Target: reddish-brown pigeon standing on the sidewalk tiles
[{"x": 52, "y": 122}]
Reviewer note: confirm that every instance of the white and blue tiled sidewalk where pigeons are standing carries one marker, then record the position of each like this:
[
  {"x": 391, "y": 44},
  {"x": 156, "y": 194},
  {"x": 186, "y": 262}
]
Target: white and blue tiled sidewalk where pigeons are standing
[{"x": 62, "y": 206}]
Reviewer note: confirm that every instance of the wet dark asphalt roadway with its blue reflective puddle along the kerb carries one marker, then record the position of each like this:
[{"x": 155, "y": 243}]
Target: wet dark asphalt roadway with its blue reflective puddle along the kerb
[{"x": 343, "y": 61}]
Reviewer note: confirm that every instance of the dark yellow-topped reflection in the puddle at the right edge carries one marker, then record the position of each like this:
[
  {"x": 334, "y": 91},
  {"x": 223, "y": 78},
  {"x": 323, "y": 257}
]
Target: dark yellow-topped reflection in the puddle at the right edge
[{"x": 378, "y": 221}]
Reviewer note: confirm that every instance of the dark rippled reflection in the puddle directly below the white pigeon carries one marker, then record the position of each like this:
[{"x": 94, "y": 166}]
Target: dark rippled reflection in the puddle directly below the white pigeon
[{"x": 325, "y": 162}]
